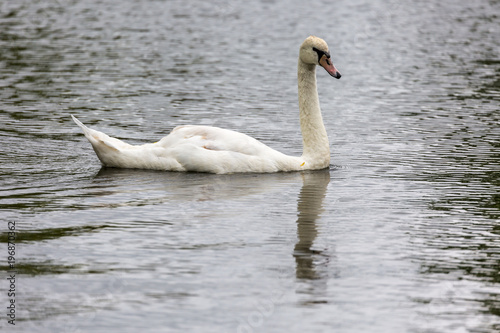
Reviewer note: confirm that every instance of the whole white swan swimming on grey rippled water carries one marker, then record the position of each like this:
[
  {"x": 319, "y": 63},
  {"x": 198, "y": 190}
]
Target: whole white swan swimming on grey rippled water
[{"x": 216, "y": 150}]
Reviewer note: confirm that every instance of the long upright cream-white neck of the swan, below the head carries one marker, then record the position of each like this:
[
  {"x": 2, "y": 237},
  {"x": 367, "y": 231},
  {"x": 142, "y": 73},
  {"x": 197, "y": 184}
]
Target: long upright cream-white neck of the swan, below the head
[{"x": 316, "y": 148}]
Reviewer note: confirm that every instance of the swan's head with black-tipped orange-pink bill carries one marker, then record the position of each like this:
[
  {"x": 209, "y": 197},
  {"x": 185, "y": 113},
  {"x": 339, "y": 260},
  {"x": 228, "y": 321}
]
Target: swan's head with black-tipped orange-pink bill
[{"x": 314, "y": 51}]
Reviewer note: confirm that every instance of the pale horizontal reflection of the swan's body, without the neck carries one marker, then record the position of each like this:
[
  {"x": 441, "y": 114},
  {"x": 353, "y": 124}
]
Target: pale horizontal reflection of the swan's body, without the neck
[{"x": 186, "y": 187}]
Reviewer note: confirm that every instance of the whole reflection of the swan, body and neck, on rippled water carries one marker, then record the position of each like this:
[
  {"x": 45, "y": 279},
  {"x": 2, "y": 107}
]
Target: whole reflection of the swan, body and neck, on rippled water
[{"x": 131, "y": 187}]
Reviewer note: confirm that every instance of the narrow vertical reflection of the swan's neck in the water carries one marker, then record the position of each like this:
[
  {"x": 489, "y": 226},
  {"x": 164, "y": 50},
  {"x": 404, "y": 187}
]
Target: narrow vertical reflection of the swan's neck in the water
[{"x": 309, "y": 208}]
